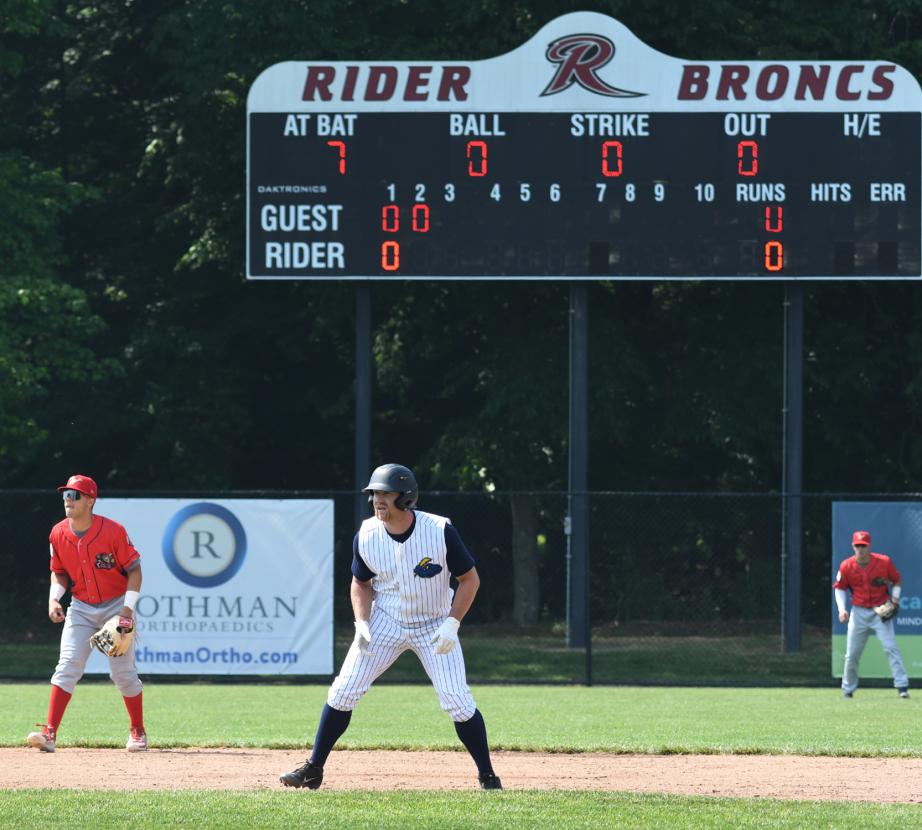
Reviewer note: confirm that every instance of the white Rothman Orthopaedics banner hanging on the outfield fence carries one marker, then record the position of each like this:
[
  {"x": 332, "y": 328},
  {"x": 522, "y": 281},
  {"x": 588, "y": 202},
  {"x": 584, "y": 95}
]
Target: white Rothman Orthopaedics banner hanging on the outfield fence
[{"x": 231, "y": 586}]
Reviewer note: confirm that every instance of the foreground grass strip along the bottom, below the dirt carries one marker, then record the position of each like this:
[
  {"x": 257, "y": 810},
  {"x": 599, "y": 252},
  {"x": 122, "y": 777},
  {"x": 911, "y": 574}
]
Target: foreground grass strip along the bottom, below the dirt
[{"x": 507, "y": 810}]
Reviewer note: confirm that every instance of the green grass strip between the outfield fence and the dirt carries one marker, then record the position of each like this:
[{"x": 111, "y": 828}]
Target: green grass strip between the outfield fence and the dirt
[{"x": 555, "y": 718}]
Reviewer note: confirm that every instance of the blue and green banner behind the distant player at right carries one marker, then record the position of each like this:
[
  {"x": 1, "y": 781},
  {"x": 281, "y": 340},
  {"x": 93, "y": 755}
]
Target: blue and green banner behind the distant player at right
[{"x": 896, "y": 530}]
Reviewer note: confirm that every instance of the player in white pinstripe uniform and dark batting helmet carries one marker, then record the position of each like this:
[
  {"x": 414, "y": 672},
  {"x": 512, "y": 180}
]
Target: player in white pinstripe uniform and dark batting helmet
[{"x": 403, "y": 560}]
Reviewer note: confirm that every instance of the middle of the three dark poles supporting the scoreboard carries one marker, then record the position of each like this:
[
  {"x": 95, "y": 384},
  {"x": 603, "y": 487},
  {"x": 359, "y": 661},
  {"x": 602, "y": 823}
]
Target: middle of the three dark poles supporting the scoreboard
[{"x": 578, "y": 619}]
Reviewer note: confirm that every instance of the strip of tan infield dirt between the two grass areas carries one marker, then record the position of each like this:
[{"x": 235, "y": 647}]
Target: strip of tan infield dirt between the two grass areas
[{"x": 762, "y": 776}]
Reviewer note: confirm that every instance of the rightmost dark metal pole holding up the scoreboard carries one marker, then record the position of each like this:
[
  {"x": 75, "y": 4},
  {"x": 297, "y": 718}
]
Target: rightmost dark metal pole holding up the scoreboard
[{"x": 792, "y": 465}]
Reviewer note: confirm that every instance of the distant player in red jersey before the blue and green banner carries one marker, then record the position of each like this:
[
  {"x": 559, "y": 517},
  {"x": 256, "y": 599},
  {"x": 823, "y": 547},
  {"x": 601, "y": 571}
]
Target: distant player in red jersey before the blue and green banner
[{"x": 872, "y": 580}]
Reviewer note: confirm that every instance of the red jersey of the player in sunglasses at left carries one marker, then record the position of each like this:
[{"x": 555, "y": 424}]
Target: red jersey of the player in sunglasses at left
[{"x": 97, "y": 562}]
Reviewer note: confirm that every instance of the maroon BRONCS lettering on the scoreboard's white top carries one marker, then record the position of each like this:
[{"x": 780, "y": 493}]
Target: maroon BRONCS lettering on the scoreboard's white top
[{"x": 737, "y": 82}]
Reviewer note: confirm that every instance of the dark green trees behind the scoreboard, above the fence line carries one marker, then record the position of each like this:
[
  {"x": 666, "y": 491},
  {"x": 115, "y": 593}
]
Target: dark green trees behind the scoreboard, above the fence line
[{"x": 122, "y": 176}]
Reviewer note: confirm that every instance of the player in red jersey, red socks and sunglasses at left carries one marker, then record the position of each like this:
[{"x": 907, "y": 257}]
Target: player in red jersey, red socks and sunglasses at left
[{"x": 93, "y": 557}]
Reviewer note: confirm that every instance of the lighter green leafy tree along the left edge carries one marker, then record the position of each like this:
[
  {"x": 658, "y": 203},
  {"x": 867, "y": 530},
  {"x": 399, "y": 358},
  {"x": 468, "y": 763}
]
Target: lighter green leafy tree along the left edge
[{"x": 47, "y": 328}]
